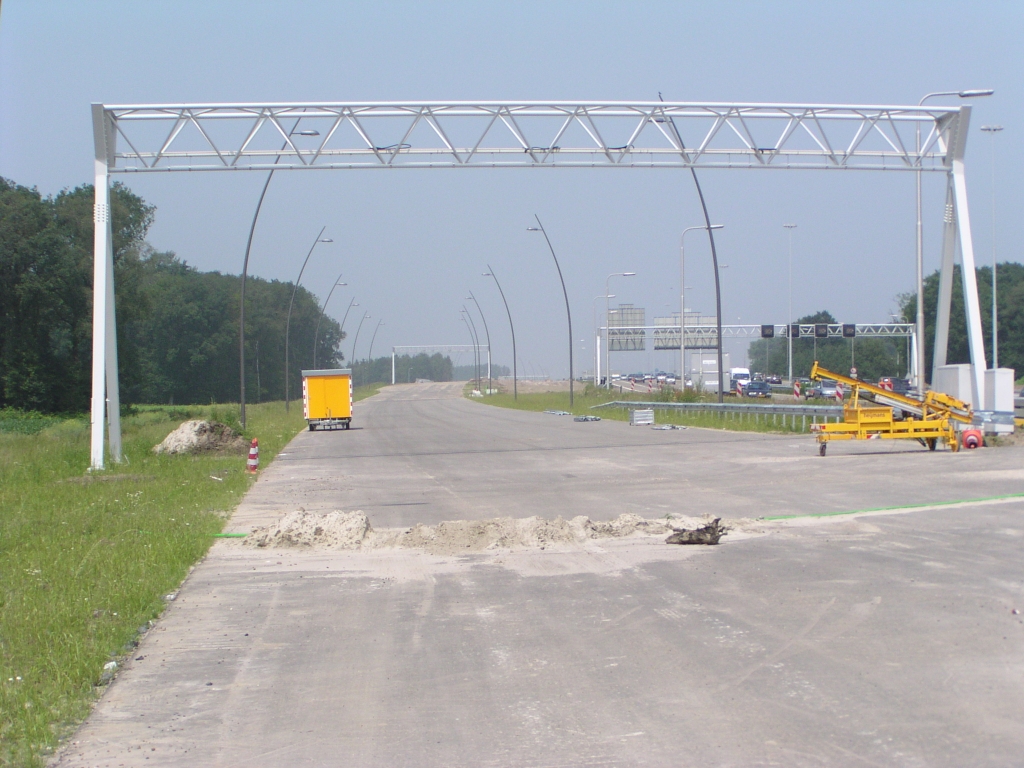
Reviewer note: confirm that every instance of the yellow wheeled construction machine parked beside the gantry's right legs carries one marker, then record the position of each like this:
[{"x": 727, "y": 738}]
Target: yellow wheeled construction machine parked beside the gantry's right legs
[{"x": 927, "y": 419}]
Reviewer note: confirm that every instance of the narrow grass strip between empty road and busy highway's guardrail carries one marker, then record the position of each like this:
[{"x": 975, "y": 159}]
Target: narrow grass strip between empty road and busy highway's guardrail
[{"x": 588, "y": 397}]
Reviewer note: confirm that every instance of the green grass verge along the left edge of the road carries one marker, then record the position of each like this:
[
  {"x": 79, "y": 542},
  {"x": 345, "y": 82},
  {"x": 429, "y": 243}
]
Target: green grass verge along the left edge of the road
[{"x": 87, "y": 560}]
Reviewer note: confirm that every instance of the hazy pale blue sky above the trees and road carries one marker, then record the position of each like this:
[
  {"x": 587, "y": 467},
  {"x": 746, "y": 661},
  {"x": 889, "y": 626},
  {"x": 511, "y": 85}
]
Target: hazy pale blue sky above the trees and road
[{"x": 411, "y": 244}]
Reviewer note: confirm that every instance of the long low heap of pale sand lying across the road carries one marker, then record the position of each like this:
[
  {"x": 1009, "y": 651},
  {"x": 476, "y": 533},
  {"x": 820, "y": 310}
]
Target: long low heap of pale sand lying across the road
[{"x": 352, "y": 531}]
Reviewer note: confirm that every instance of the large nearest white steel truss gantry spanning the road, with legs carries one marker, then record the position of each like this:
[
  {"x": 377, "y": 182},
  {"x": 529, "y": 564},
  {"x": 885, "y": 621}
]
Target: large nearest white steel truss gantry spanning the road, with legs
[{"x": 158, "y": 139}]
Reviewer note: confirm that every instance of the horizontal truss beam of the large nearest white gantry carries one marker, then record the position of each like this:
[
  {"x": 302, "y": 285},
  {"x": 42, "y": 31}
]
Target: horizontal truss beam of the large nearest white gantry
[{"x": 488, "y": 135}]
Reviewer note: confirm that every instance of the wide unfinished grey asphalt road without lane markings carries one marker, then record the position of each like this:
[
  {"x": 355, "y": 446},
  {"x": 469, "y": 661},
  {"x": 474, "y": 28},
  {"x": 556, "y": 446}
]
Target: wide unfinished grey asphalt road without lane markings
[{"x": 879, "y": 639}]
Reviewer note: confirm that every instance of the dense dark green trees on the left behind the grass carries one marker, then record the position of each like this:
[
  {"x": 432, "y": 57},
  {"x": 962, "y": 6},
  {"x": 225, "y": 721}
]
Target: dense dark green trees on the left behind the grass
[{"x": 178, "y": 328}]
